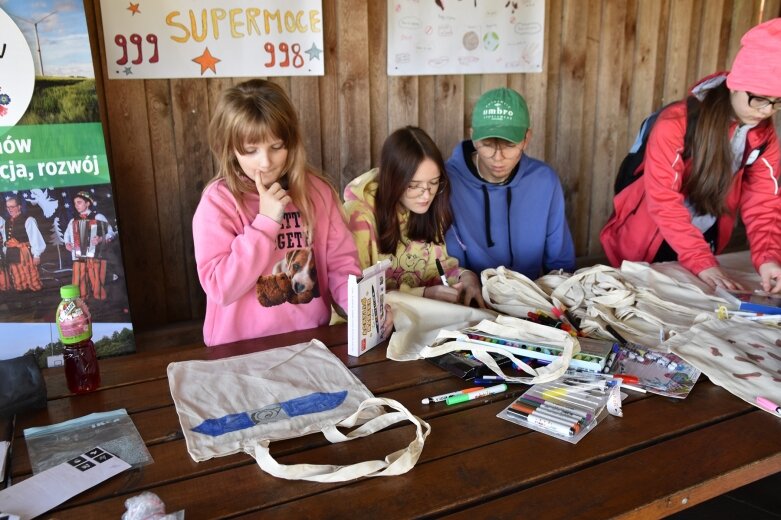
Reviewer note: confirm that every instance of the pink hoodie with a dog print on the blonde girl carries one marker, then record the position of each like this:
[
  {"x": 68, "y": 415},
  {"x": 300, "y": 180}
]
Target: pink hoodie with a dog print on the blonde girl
[{"x": 259, "y": 276}]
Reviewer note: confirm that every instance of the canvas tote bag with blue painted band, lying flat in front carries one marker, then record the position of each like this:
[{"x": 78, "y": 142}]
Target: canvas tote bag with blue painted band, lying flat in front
[{"x": 245, "y": 402}]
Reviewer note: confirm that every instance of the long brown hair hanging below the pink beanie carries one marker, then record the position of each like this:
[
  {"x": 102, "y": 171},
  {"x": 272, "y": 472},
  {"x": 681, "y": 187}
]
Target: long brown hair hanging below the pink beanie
[{"x": 710, "y": 179}]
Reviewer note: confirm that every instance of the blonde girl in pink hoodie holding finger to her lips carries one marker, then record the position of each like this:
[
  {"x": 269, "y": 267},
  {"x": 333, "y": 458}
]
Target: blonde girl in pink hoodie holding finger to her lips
[{"x": 272, "y": 248}]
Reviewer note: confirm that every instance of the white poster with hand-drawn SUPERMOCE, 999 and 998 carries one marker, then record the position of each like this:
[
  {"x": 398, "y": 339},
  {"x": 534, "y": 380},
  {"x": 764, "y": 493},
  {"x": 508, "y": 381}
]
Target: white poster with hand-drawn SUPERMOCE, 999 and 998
[{"x": 212, "y": 38}]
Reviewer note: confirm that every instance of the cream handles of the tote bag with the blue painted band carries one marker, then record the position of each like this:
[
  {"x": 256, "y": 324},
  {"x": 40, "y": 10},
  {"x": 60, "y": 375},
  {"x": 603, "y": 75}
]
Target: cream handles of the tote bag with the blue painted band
[{"x": 396, "y": 463}]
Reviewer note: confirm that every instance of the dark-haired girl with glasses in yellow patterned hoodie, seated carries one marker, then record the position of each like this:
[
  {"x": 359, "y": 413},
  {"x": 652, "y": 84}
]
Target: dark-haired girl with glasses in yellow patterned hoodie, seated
[{"x": 401, "y": 211}]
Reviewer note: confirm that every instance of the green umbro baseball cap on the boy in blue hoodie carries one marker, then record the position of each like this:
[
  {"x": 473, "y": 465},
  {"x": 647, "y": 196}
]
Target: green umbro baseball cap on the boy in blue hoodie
[{"x": 500, "y": 113}]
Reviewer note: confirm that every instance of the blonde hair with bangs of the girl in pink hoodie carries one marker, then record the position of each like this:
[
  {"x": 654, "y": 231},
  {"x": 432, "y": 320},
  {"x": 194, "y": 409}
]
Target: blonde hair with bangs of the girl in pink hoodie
[{"x": 257, "y": 111}]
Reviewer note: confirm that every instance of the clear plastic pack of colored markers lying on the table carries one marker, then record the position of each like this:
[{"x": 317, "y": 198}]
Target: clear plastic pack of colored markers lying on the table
[{"x": 566, "y": 408}]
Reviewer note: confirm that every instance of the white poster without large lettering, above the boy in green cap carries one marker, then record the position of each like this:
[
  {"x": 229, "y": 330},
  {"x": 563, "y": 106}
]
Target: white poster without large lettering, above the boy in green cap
[{"x": 465, "y": 36}]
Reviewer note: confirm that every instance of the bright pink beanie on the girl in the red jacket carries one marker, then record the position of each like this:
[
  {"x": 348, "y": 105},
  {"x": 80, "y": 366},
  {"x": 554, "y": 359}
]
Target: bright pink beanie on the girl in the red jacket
[{"x": 757, "y": 66}]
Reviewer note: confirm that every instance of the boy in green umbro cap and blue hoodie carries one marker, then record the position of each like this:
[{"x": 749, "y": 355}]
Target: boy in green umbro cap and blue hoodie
[{"x": 508, "y": 208}]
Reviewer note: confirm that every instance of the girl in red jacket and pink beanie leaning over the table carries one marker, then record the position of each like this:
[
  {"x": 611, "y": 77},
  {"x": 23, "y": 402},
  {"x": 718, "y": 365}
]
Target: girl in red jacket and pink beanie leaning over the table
[{"x": 685, "y": 204}]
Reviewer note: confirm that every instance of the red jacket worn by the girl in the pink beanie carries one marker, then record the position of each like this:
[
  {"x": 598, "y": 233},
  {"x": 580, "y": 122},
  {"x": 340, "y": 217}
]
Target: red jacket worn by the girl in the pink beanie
[{"x": 652, "y": 209}]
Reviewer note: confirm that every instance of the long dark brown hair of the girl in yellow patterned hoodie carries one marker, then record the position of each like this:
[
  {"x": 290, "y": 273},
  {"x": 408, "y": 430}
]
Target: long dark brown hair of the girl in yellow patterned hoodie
[{"x": 402, "y": 153}]
